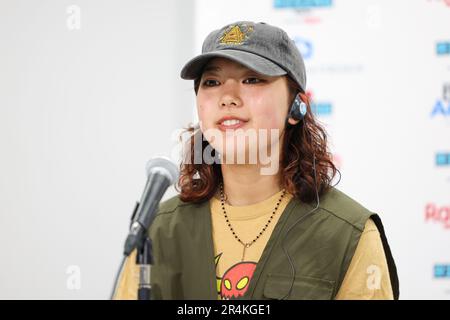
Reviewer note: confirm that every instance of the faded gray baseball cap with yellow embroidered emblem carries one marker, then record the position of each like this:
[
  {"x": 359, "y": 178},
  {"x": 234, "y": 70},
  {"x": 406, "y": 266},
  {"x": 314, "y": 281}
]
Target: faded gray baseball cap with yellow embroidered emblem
[{"x": 261, "y": 47}]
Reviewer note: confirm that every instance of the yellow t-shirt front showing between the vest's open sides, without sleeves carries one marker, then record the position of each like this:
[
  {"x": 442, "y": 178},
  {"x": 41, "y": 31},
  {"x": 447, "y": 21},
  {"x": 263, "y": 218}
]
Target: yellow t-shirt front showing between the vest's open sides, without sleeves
[{"x": 232, "y": 274}]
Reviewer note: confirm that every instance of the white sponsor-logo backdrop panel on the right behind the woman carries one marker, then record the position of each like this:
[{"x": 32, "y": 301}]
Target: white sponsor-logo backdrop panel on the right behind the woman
[{"x": 374, "y": 73}]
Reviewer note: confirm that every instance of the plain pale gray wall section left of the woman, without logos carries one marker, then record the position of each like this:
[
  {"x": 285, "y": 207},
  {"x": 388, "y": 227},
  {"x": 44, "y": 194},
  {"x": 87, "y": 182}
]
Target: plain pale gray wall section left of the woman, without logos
[{"x": 89, "y": 91}]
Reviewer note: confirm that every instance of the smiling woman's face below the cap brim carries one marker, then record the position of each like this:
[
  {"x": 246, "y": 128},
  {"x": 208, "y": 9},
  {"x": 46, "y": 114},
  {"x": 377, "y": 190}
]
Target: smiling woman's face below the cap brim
[{"x": 260, "y": 103}]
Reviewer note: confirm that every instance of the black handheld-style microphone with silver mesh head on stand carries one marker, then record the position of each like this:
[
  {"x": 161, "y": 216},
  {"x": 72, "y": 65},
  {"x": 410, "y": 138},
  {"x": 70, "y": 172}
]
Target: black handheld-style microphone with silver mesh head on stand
[{"x": 161, "y": 173}]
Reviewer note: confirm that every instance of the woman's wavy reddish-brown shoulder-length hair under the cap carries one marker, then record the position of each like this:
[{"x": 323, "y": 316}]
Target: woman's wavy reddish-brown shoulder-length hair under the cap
[{"x": 302, "y": 144}]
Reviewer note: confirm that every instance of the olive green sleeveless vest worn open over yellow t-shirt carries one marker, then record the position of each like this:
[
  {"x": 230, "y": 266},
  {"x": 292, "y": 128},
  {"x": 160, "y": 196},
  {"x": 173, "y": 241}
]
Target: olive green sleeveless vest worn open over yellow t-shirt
[{"x": 321, "y": 247}]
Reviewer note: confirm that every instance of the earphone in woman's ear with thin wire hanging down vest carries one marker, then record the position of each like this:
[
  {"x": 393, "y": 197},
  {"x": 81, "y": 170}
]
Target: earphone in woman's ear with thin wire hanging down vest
[{"x": 298, "y": 111}]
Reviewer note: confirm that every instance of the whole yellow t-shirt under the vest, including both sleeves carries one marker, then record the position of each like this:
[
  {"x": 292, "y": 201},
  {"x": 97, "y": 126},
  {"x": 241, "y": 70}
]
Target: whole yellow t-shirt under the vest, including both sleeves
[{"x": 367, "y": 276}]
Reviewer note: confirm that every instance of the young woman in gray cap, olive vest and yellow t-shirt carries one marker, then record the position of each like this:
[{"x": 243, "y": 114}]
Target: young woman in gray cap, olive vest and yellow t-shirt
[{"x": 257, "y": 216}]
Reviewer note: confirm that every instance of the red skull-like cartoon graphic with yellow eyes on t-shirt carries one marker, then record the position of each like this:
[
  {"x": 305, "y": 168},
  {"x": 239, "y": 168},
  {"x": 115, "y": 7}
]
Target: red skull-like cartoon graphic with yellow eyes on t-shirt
[{"x": 234, "y": 281}]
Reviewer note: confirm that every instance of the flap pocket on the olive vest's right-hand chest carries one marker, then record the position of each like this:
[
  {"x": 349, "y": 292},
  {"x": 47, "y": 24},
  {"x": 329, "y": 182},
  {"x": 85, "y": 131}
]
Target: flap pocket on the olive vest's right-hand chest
[{"x": 304, "y": 288}]
